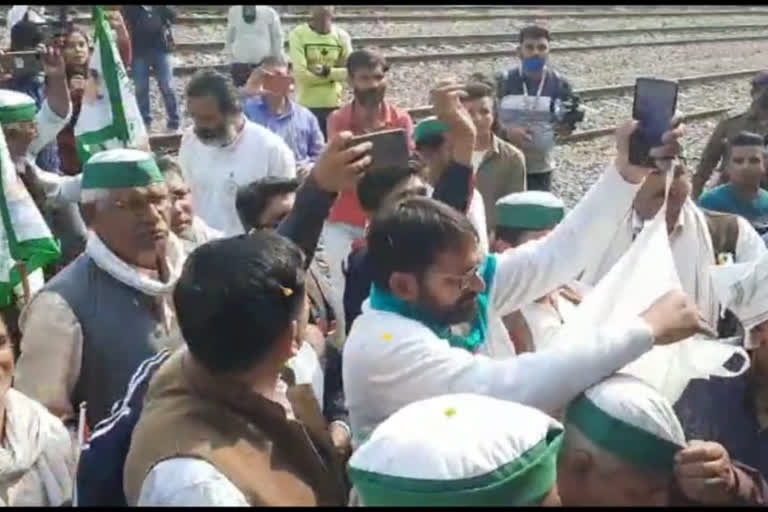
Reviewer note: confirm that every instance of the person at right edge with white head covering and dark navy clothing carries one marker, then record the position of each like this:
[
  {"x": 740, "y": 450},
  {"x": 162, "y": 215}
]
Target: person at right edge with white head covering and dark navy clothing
[{"x": 734, "y": 411}]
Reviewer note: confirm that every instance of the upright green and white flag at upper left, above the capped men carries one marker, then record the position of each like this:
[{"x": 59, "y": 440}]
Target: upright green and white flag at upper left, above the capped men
[{"x": 109, "y": 115}]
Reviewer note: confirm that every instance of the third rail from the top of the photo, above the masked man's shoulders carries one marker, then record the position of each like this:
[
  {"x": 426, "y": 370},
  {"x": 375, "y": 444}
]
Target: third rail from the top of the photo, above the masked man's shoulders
[{"x": 185, "y": 70}]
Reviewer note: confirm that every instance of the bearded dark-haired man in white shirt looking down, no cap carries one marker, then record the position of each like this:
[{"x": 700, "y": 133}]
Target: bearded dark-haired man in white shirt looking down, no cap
[{"x": 224, "y": 151}]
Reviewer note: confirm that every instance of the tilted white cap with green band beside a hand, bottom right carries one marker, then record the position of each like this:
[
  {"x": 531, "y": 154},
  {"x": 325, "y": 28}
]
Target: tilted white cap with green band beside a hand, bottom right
[{"x": 629, "y": 419}]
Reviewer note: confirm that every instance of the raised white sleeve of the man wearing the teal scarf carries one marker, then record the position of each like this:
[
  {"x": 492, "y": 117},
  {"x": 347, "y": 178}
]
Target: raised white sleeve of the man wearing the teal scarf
[{"x": 528, "y": 272}]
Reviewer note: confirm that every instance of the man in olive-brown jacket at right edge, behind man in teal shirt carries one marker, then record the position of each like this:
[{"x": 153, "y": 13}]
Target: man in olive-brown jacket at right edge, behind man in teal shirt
[{"x": 754, "y": 120}]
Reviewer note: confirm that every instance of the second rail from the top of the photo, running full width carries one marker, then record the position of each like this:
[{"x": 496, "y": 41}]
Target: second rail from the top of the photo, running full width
[{"x": 505, "y": 37}]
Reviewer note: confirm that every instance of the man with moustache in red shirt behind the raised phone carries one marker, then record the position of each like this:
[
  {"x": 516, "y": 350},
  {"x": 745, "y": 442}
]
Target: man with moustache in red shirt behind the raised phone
[{"x": 368, "y": 112}]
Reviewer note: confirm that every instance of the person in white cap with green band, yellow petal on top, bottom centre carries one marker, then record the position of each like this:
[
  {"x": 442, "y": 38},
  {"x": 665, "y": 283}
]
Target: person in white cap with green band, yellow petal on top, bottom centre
[{"x": 460, "y": 450}]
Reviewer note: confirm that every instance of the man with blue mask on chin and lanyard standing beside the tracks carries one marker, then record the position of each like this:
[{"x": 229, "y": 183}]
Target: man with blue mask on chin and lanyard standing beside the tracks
[{"x": 531, "y": 100}]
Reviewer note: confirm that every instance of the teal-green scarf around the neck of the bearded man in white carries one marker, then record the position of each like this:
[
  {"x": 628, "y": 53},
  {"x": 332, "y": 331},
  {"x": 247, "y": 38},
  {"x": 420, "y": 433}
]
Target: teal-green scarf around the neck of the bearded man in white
[{"x": 385, "y": 301}]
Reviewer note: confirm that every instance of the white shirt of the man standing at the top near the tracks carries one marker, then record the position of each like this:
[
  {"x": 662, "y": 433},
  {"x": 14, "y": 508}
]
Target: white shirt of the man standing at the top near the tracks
[{"x": 251, "y": 42}]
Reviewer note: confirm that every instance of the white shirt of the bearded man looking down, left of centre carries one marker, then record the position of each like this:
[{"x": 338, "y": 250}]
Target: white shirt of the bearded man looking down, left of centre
[{"x": 214, "y": 173}]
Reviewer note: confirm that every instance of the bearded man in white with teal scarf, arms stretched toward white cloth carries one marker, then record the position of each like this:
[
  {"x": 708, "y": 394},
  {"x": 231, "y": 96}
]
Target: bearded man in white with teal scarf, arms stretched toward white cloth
[{"x": 430, "y": 277}]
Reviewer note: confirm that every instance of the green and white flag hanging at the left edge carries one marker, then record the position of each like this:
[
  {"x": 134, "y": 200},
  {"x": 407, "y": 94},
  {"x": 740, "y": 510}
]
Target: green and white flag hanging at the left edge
[{"x": 24, "y": 237}]
